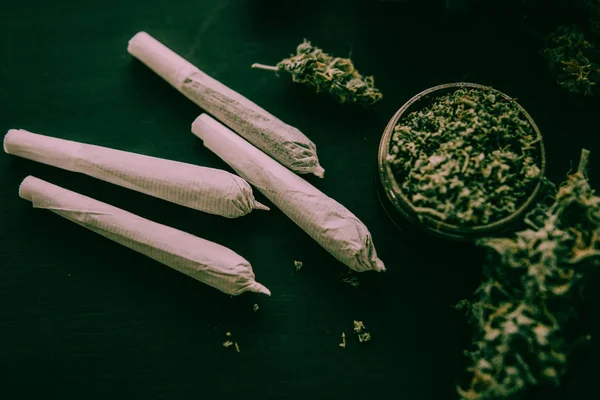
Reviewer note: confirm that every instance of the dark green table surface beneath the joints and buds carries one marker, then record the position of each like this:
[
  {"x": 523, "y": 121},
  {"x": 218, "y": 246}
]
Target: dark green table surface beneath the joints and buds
[{"x": 83, "y": 318}]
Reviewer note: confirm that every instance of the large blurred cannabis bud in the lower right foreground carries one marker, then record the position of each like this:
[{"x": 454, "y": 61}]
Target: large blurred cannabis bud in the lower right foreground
[{"x": 521, "y": 310}]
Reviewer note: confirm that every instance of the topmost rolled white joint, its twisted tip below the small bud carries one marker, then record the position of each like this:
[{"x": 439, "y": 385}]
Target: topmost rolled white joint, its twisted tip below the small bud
[{"x": 283, "y": 142}]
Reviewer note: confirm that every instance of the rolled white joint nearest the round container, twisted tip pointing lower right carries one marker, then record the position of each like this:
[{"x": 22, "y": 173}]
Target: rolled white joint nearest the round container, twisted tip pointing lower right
[{"x": 328, "y": 222}]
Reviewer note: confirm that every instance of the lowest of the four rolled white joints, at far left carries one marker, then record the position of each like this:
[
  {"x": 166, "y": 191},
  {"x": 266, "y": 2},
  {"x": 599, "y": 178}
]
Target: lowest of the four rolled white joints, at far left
[{"x": 208, "y": 262}]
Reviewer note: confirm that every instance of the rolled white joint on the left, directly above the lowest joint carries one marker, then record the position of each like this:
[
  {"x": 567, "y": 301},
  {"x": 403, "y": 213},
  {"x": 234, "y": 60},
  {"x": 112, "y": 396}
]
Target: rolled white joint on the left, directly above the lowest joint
[{"x": 206, "y": 189}]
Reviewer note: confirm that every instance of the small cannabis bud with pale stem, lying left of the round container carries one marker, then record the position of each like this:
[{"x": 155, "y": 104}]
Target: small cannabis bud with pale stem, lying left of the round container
[{"x": 336, "y": 76}]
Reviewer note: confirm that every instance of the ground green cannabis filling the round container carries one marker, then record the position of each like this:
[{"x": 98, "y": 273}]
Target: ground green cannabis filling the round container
[{"x": 468, "y": 158}]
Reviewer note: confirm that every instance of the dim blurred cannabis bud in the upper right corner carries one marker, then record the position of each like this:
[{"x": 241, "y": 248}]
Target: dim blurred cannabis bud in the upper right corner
[{"x": 568, "y": 56}]
